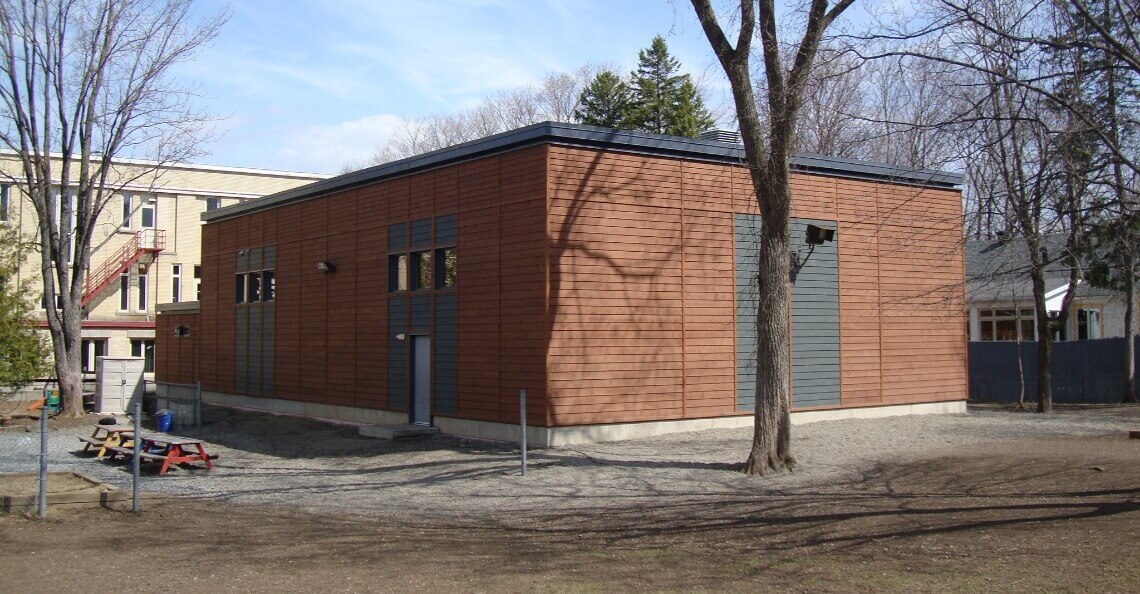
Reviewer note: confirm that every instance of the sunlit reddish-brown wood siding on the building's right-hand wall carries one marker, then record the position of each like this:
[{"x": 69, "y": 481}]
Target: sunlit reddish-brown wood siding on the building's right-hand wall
[{"x": 642, "y": 302}]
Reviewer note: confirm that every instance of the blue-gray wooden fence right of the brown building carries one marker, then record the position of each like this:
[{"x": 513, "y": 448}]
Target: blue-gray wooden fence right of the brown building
[{"x": 1085, "y": 372}]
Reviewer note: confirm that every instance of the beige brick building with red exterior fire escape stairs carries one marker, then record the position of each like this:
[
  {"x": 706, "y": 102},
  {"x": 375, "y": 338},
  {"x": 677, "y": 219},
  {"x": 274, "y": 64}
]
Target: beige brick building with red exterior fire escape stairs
[{"x": 146, "y": 248}]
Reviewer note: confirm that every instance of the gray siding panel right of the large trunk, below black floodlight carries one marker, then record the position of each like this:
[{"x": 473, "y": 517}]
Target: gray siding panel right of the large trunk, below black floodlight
[{"x": 816, "y": 319}]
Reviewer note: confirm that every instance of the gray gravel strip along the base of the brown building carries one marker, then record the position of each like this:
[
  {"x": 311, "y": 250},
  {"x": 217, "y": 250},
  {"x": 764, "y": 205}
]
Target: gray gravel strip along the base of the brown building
[{"x": 264, "y": 459}]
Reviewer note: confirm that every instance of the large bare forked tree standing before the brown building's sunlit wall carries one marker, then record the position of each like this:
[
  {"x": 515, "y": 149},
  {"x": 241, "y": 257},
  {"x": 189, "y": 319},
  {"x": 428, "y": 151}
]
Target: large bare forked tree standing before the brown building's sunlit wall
[{"x": 769, "y": 148}]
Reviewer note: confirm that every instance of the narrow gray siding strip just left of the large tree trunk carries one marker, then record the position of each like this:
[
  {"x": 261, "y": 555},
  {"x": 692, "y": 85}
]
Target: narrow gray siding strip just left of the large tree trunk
[{"x": 746, "y": 253}]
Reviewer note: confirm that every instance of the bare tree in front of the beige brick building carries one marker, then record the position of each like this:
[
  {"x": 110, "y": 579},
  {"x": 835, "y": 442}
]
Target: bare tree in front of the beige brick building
[{"x": 82, "y": 84}]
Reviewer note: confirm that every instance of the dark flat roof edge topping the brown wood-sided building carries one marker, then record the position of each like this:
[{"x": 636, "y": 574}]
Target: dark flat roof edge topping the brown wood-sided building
[{"x": 588, "y": 137}]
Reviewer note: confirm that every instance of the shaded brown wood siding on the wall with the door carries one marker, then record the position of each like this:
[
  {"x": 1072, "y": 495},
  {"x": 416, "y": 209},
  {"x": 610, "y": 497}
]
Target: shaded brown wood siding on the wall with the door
[{"x": 331, "y": 329}]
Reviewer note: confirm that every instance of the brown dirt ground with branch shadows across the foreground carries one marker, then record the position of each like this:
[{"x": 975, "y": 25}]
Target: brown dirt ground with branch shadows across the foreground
[{"x": 1058, "y": 515}]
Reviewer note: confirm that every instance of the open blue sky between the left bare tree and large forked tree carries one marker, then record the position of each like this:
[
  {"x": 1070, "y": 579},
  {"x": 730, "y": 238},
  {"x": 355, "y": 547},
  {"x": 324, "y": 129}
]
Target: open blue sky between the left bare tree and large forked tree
[{"x": 313, "y": 86}]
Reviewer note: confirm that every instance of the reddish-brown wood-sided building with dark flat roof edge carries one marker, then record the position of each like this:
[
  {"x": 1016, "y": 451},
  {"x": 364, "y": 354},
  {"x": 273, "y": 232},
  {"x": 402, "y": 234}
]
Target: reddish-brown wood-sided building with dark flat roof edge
[{"x": 596, "y": 271}]
